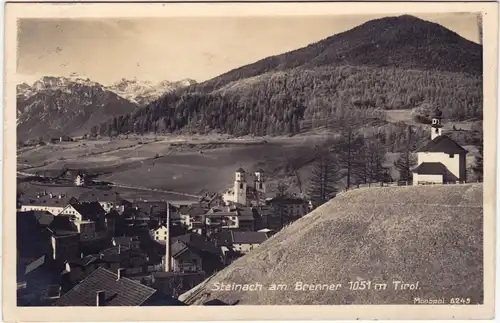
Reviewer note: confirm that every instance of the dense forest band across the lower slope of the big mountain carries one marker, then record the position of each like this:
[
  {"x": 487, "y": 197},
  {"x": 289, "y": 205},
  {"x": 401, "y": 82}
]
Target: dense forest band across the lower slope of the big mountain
[{"x": 293, "y": 101}]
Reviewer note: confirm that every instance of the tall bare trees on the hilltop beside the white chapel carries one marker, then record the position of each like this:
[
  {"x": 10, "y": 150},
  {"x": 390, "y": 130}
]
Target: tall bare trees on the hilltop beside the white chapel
[{"x": 360, "y": 159}]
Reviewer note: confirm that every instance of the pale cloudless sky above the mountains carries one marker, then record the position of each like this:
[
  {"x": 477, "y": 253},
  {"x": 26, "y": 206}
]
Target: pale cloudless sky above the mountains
[{"x": 175, "y": 48}]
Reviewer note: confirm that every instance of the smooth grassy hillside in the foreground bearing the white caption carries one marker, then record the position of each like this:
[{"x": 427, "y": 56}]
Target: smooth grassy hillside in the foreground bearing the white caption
[{"x": 428, "y": 234}]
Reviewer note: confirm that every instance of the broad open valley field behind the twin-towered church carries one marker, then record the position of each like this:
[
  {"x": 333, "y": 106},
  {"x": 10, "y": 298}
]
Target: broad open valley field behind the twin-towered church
[{"x": 183, "y": 164}]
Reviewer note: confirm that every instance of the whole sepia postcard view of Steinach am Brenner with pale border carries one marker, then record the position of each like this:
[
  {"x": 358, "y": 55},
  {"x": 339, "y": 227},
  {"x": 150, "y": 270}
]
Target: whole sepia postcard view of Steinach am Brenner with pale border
[{"x": 322, "y": 159}]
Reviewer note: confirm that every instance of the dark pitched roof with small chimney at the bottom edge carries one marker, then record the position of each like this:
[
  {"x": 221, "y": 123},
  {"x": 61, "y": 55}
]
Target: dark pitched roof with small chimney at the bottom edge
[{"x": 107, "y": 288}]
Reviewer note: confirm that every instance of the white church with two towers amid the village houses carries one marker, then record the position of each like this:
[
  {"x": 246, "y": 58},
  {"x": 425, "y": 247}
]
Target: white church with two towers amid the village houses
[{"x": 242, "y": 192}]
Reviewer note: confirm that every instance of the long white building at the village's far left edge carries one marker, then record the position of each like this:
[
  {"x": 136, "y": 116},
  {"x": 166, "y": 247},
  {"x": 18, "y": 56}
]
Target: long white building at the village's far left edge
[{"x": 53, "y": 203}]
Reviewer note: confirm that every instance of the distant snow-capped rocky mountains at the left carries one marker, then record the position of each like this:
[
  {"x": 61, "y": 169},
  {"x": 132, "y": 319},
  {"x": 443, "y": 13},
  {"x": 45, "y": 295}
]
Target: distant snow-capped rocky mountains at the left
[{"x": 55, "y": 106}]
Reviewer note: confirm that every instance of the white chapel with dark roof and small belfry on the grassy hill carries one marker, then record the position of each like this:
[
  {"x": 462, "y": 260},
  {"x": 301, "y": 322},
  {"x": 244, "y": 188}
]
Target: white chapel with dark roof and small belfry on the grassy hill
[{"x": 442, "y": 160}]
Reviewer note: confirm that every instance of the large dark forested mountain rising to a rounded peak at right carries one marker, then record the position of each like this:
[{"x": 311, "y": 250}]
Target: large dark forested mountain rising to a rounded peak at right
[{"x": 349, "y": 78}]
